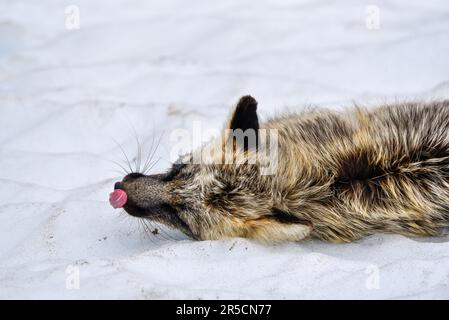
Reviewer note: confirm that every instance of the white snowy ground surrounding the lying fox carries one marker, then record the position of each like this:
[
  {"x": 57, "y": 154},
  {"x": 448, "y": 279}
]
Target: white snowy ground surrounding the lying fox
[{"x": 153, "y": 66}]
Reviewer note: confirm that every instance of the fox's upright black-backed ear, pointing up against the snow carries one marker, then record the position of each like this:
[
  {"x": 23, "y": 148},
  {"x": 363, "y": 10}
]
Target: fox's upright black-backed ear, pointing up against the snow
[{"x": 244, "y": 122}]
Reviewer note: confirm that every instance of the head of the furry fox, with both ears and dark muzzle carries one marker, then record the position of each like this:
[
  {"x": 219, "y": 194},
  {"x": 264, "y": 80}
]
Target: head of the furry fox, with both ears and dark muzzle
[{"x": 224, "y": 194}]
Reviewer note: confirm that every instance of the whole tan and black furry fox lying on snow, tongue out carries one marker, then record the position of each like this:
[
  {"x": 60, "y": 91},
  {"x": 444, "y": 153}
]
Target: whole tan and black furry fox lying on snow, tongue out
[{"x": 337, "y": 176}]
